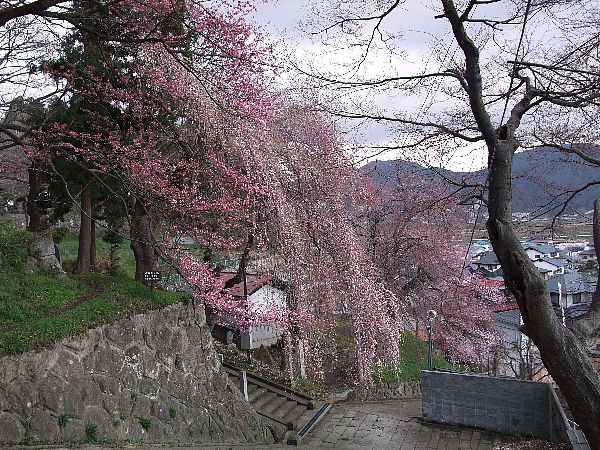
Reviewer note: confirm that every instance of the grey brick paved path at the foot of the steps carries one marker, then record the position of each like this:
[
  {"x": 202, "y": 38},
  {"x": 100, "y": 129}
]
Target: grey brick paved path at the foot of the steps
[{"x": 392, "y": 425}]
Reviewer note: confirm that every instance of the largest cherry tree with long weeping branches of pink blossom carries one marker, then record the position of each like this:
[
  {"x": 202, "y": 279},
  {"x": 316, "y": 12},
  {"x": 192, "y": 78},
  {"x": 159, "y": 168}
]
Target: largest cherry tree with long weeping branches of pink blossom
[{"x": 182, "y": 120}]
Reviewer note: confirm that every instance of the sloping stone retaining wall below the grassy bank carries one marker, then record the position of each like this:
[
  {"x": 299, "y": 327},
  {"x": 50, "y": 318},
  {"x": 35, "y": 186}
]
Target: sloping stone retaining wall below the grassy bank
[{"x": 152, "y": 377}]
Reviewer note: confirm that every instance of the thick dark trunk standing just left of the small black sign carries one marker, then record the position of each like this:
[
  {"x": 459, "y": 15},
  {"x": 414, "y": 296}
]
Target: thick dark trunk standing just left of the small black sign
[{"x": 142, "y": 241}]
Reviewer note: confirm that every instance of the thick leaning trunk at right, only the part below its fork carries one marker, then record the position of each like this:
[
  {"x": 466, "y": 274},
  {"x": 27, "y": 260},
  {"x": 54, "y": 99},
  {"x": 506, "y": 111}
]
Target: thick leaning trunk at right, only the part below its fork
[{"x": 562, "y": 353}]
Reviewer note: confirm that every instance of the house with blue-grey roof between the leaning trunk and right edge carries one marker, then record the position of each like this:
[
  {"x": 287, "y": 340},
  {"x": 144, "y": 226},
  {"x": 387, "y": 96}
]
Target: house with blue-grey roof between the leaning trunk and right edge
[{"x": 570, "y": 289}]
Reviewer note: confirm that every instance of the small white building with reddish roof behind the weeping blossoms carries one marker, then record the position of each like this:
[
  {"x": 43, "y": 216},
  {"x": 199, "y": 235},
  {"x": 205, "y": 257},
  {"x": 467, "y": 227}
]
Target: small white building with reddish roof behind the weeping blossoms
[{"x": 259, "y": 294}]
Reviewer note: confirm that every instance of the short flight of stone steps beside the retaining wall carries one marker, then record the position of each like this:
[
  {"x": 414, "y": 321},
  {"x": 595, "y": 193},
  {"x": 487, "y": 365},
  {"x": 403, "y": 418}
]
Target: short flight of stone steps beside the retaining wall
[{"x": 281, "y": 405}]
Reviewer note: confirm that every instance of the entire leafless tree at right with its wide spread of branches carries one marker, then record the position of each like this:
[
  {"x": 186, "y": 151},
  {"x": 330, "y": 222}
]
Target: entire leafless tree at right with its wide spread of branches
[{"x": 501, "y": 91}]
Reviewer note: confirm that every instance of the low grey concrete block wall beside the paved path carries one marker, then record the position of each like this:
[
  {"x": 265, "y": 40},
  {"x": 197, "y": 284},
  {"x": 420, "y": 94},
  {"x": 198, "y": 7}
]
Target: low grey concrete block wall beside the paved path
[{"x": 504, "y": 405}]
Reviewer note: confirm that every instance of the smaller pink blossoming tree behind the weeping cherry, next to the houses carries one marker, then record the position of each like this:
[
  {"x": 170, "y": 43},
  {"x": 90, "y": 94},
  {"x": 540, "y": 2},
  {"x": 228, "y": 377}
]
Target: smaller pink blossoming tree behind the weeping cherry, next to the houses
[{"x": 413, "y": 231}]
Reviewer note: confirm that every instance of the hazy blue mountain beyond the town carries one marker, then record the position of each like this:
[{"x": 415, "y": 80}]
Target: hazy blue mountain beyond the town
[{"x": 540, "y": 175}]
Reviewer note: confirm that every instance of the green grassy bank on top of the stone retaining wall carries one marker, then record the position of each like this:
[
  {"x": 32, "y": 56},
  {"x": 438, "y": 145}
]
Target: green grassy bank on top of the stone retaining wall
[{"x": 37, "y": 309}]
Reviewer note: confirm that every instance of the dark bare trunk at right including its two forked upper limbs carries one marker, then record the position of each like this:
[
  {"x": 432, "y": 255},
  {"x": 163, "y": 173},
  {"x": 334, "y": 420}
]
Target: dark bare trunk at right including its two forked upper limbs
[{"x": 562, "y": 353}]
